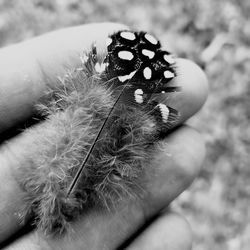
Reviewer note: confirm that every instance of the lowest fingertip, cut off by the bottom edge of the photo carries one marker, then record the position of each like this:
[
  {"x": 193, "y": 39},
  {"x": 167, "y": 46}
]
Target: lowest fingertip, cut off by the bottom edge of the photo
[{"x": 169, "y": 231}]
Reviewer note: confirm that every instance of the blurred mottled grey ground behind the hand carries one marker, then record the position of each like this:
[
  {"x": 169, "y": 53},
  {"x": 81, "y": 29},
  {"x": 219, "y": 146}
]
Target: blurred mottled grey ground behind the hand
[{"x": 216, "y": 35}]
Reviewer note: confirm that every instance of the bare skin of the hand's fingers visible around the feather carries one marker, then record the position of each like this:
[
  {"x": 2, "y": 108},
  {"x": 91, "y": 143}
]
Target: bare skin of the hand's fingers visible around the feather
[{"x": 177, "y": 161}]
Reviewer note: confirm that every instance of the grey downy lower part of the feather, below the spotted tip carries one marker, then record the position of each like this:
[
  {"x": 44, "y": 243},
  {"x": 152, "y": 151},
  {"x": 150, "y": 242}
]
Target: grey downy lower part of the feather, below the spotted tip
[{"x": 74, "y": 111}]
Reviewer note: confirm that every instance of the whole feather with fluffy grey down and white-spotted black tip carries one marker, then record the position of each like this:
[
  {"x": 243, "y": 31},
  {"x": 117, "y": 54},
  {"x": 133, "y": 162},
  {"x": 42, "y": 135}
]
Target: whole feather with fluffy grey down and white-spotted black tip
[{"x": 101, "y": 123}]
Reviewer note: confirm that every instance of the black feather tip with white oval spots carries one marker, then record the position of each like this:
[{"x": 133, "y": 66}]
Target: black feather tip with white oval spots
[{"x": 147, "y": 67}]
